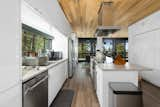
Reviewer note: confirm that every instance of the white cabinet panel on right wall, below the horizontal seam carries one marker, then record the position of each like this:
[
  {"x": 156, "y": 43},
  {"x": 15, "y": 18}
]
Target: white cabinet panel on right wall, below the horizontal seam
[{"x": 145, "y": 49}]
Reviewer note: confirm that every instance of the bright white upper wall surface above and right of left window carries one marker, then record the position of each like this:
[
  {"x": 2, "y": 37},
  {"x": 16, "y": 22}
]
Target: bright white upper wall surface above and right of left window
[{"x": 33, "y": 18}]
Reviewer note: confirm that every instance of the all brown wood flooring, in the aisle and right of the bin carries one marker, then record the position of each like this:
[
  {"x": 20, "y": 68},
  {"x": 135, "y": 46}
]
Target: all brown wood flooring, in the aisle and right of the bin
[{"x": 85, "y": 96}]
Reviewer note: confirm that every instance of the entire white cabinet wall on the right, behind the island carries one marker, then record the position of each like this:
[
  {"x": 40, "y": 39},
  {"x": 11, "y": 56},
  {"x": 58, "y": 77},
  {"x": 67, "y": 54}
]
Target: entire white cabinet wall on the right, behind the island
[{"x": 144, "y": 46}]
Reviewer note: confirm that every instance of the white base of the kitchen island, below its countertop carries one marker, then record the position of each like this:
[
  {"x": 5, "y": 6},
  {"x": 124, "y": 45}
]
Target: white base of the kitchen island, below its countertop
[{"x": 105, "y": 77}]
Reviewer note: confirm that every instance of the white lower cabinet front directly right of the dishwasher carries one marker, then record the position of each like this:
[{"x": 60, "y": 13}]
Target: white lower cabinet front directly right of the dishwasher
[{"x": 57, "y": 76}]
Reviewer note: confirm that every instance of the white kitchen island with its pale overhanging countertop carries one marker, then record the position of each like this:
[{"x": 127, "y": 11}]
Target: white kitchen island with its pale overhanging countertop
[{"x": 107, "y": 73}]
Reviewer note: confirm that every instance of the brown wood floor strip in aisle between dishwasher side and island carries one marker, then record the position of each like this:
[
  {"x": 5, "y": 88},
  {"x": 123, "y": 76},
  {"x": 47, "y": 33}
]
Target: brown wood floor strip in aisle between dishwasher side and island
[{"x": 85, "y": 95}]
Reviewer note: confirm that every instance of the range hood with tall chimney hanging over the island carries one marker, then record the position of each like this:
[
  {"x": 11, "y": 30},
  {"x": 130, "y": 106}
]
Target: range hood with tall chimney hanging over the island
[{"x": 105, "y": 20}]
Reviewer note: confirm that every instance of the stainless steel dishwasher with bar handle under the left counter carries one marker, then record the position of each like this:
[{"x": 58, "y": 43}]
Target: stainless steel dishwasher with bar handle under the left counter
[{"x": 35, "y": 91}]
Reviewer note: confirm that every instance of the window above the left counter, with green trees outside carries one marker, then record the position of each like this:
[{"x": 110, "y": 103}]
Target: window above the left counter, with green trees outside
[{"x": 33, "y": 42}]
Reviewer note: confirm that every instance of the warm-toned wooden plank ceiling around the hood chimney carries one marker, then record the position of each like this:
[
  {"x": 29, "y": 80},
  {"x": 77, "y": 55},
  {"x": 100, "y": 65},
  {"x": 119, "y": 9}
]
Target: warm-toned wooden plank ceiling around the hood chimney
[{"x": 83, "y": 14}]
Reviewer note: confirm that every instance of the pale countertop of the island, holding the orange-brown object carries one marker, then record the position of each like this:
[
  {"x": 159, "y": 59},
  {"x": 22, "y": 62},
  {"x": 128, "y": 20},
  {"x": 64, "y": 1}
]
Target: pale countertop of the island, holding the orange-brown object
[{"x": 126, "y": 67}]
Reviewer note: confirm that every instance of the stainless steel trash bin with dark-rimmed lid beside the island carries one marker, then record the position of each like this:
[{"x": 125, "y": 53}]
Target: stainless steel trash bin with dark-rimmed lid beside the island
[{"x": 124, "y": 95}]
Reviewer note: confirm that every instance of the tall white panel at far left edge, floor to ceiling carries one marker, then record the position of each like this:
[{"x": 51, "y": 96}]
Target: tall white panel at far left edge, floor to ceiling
[{"x": 10, "y": 46}]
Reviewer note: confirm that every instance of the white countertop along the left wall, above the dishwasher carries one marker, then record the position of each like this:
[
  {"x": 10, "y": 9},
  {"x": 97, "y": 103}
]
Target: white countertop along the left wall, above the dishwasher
[{"x": 31, "y": 72}]
